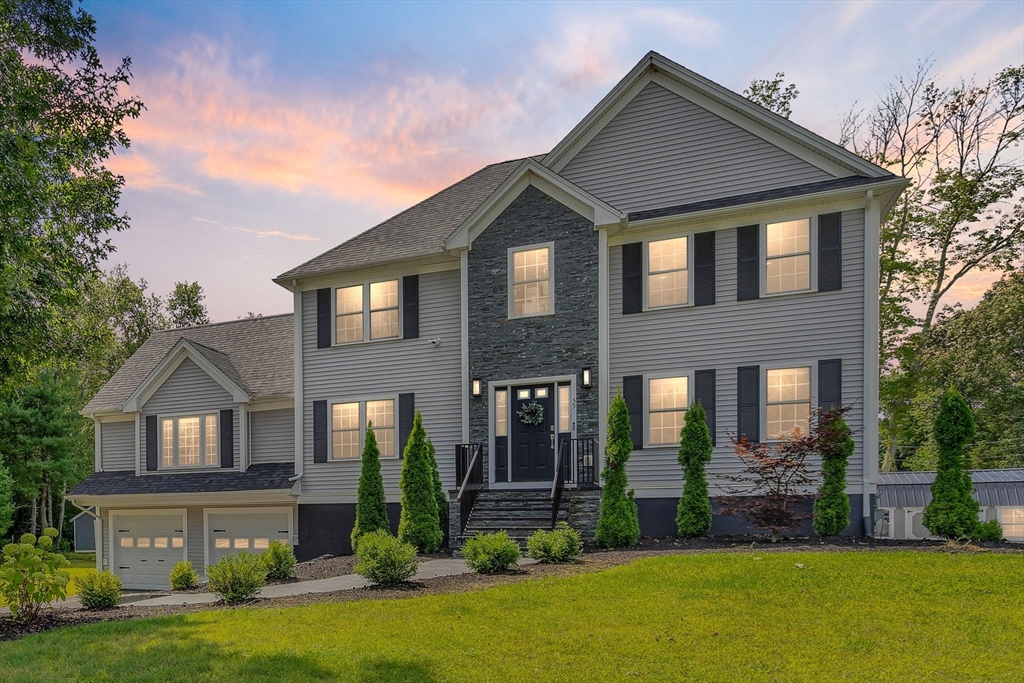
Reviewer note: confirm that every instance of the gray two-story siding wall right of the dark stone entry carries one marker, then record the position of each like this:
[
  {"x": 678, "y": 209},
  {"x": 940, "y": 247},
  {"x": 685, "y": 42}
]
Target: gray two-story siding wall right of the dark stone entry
[{"x": 798, "y": 329}]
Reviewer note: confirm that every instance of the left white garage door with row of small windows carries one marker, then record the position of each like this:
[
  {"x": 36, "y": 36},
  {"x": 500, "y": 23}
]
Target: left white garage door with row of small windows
[{"x": 147, "y": 546}]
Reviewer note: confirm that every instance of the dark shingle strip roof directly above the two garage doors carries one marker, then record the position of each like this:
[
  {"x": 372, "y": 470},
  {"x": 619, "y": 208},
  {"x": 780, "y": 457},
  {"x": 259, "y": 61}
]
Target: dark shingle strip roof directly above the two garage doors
[{"x": 269, "y": 477}]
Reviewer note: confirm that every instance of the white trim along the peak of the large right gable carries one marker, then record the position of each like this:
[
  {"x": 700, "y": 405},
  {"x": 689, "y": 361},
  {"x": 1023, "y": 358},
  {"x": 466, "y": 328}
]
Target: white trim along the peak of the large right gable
[{"x": 737, "y": 109}]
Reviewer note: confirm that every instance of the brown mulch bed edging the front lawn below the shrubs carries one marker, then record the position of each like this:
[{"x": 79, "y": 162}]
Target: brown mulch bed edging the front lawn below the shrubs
[{"x": 593, "y": 561}]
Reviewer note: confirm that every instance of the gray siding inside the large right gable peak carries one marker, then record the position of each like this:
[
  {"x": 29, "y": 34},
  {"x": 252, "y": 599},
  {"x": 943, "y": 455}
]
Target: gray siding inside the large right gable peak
[{"x": 664, "y": 151}]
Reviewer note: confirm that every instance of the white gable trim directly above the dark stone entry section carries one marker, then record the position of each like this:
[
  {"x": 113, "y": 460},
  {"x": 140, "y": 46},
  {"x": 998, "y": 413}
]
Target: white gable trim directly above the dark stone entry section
[{"x": 533, "y": 174}]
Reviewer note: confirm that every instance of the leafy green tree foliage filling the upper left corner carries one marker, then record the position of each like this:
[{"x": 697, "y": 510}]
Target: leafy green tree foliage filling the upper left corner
[{"x": 61, "y": 120}]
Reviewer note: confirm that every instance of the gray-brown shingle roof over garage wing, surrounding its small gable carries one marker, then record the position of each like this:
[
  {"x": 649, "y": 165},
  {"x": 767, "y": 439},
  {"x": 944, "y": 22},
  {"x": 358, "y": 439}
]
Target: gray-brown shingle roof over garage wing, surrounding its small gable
[{"x": 257, "y": 354}]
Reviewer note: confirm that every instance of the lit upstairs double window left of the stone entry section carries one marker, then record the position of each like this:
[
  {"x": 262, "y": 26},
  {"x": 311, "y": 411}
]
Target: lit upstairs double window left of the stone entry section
[{"x": 367, "y": 312}]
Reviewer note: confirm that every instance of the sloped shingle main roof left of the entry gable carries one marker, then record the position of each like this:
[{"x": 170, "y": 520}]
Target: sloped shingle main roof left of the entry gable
[{"x": 419, "y": 231}]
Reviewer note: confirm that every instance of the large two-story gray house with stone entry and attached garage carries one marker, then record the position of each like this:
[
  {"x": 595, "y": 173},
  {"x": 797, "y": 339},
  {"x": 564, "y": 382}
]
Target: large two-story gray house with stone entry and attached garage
[{"x": 680, "y": 244}]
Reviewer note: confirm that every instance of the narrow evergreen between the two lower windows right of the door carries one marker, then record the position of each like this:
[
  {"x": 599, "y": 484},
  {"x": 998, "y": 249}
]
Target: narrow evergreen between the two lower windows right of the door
[{"x": 694, "y": 516}]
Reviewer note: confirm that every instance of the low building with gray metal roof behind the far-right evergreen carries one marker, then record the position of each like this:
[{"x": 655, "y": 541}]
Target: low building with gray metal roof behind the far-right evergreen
[{"x": 903, "y": 497}]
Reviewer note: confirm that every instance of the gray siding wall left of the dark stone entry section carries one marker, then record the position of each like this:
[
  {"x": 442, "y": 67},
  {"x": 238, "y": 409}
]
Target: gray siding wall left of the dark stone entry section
[{"x": 371, "y": 370}]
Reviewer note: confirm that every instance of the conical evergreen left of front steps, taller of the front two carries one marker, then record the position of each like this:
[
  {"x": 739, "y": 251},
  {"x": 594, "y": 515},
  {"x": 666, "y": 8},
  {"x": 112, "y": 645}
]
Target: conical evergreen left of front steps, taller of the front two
[{"x": 420, "y": 524}]
